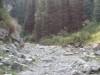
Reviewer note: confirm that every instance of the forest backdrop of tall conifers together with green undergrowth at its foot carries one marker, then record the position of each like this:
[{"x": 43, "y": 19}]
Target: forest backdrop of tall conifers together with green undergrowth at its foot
[{"x": 57, "y": 21}]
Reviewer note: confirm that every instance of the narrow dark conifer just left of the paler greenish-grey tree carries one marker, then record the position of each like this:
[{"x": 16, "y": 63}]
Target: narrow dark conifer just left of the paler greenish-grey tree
[{"x": 29, "y": 16}]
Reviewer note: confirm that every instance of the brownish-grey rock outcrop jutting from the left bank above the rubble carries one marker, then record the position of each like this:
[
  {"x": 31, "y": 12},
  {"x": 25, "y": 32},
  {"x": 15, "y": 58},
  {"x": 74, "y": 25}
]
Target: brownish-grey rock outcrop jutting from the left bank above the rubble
[{"x": 13, "y": 32}]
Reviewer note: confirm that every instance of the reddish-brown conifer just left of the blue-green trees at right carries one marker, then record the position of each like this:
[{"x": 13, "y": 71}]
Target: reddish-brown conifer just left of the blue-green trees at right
[{"x": 76, "y": 15}]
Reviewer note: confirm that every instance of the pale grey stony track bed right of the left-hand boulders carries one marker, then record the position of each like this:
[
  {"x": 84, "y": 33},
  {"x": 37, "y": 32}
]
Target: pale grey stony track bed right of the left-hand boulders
[{"x": 55, "y": 60}]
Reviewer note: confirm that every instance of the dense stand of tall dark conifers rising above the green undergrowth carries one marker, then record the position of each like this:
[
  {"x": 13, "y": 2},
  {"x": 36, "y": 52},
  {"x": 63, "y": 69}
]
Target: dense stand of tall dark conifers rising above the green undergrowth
[{"x": 47, "y": 17}]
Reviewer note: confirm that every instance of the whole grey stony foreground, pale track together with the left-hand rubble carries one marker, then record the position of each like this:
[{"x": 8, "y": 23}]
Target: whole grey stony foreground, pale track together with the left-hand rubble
[{"x": 36, "y": 59}]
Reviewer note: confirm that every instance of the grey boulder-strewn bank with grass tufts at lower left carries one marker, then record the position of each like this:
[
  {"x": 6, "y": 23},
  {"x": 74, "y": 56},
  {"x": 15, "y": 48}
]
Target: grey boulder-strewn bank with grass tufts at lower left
[{"x": 13, "y": 61}]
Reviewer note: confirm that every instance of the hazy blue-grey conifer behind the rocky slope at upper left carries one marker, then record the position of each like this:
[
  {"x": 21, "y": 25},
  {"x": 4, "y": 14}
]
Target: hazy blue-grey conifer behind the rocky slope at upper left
[{"x": 18, "y": 10}]
